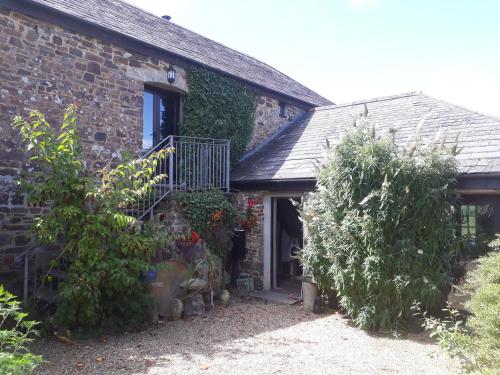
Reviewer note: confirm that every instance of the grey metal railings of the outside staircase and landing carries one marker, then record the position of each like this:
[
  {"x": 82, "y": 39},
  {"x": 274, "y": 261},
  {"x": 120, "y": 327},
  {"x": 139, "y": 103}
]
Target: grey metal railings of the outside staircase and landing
[{"x": 196, "y": 164}]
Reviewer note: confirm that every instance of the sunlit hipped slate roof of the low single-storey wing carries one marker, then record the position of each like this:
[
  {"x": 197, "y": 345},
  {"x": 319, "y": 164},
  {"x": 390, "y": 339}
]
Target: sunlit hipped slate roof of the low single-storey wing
[{"x": 291, "y": 153}]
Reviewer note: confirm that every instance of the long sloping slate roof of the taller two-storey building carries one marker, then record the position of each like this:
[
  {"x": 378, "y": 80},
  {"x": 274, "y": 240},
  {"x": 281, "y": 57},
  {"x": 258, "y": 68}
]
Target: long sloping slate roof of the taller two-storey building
[{"x": 125, "y": 19}]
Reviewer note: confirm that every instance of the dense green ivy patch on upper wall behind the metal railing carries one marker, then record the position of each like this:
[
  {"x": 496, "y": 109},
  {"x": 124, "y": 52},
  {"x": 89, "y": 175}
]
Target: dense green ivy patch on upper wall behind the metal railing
[{"x": 218, "y": 107}]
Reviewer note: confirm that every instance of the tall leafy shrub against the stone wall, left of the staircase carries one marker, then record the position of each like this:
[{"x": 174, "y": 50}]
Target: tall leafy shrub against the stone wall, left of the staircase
[{"x": 105, "y": 247}]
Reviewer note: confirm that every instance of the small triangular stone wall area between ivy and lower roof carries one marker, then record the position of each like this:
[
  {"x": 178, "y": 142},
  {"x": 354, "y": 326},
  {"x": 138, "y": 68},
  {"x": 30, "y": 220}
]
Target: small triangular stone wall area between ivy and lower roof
[{"x": 267, "y": 119}]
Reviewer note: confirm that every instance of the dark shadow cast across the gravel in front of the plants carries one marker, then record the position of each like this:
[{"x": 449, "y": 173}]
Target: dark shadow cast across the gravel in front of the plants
[{"x": 136, "y": 352}]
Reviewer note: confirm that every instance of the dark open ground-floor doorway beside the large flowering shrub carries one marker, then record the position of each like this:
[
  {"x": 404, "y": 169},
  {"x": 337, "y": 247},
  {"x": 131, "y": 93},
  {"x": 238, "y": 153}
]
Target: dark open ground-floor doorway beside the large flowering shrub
[{"x": 287, "y": 239}]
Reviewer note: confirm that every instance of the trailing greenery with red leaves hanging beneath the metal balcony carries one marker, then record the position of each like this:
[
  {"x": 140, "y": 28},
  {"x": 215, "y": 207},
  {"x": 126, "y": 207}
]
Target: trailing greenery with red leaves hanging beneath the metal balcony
[{"x": 211, "y": 215}]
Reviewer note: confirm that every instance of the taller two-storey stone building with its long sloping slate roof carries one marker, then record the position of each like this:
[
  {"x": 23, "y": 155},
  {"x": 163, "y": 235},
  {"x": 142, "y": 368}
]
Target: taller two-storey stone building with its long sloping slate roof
[{"x": 114, "y": 61}]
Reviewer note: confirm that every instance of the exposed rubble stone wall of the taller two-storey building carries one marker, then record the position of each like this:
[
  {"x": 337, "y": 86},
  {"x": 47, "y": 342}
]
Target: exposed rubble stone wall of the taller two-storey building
[{"x": 46, "y": 67}]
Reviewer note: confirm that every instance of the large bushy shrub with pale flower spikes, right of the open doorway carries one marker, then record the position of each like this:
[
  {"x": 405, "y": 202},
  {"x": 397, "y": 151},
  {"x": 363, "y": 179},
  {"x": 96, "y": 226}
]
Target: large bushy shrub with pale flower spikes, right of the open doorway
[{"x": 381, "y": 227}]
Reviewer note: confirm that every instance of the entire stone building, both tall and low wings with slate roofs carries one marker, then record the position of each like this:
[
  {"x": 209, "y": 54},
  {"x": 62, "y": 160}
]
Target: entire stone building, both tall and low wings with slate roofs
[{"x": 123, "y": 66}]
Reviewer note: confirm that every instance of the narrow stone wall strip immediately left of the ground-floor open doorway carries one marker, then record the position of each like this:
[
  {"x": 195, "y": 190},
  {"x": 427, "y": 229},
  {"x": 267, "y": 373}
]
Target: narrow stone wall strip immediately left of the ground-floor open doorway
[{"x": 254, "y": 236}]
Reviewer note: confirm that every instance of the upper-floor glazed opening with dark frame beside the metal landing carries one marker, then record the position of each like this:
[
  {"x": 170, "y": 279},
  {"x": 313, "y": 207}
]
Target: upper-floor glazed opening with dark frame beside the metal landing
[{"x": 161, "y": 116}]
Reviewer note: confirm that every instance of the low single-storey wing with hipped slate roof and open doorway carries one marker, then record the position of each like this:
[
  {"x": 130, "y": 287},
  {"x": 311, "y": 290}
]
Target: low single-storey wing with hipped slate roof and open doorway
[{"x": 284, "y": 167}]
